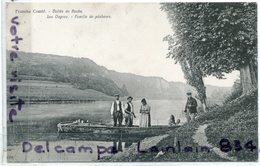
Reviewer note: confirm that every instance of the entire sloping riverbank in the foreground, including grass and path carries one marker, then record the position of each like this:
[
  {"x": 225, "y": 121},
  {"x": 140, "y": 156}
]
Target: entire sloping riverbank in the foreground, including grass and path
[{"x": 235, "y": 122}]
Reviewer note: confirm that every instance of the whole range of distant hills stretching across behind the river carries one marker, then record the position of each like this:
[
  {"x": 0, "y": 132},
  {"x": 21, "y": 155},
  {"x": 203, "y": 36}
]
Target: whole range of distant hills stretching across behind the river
[{"x": 84, "y": 73}]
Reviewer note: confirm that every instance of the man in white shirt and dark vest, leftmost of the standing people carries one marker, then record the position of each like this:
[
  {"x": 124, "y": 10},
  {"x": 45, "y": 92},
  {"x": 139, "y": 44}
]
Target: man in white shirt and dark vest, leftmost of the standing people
[{"x": 117, "y": 111}]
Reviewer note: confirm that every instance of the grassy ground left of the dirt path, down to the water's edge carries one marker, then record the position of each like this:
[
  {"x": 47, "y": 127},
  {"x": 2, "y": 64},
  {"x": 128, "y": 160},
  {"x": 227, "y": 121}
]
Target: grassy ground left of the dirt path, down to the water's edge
[{"x": 184, "y": 136}]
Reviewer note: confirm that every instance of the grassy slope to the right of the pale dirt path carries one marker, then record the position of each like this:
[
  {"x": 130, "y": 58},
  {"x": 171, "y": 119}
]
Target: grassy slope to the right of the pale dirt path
[{"x": 236, "y": 121}]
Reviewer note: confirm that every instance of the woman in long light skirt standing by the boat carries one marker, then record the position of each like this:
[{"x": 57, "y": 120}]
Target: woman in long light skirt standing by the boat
[{"x": 145, "y": 118}]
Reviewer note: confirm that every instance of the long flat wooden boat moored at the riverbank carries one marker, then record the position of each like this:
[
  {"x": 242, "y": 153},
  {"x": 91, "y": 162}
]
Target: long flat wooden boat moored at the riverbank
[{"x": 111, "y": 130}]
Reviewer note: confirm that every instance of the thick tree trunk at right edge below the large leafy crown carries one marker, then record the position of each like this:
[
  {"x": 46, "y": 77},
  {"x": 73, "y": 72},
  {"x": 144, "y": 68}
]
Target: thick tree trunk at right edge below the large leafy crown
[{"x": 248, "y": 77}]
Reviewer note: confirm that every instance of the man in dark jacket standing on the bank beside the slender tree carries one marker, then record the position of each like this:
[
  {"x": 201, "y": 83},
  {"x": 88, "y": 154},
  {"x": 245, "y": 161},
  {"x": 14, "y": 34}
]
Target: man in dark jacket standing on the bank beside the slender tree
[{"x": 191, "y": 107}]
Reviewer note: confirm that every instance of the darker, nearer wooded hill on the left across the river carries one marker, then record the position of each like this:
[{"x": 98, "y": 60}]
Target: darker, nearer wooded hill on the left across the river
[{"x": 80, "y": 72}]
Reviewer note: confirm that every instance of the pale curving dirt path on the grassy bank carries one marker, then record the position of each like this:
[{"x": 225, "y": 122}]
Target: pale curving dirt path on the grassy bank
[{"x": 201, "y": 139}]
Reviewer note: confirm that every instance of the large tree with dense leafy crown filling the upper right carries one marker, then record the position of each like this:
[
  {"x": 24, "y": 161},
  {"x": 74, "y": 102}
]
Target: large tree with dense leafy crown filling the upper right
[{"x": 218, "y": 37}]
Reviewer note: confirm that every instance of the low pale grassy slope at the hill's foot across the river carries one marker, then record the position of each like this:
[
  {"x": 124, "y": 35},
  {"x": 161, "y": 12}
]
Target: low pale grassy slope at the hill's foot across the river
[{"x": 50, "y": 90}]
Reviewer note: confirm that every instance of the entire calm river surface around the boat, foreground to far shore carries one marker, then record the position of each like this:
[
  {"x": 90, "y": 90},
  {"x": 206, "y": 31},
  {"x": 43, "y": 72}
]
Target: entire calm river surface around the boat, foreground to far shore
[{"x": 36, "y": 125}]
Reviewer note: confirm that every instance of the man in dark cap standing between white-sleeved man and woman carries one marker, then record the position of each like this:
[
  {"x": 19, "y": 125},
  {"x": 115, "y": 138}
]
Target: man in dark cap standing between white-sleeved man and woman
[{"x": 129, "y": 112}]
